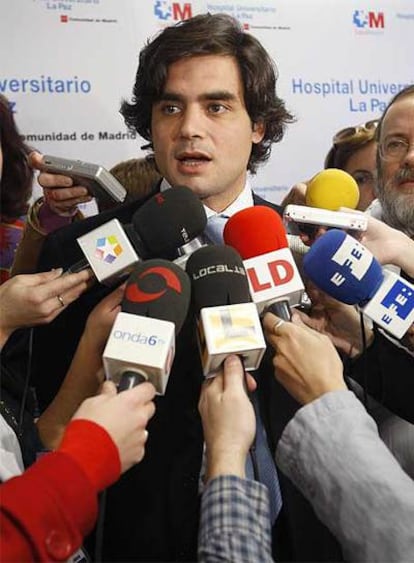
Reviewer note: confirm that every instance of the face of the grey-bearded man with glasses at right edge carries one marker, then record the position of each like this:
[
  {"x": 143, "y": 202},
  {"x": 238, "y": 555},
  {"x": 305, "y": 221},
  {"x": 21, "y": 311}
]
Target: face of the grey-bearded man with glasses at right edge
[{"x": 396, "y": 175}]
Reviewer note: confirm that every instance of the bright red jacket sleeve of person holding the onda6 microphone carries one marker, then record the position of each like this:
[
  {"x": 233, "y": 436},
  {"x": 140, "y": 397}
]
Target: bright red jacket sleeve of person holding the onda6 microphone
[{"x": 46, "y": 512}]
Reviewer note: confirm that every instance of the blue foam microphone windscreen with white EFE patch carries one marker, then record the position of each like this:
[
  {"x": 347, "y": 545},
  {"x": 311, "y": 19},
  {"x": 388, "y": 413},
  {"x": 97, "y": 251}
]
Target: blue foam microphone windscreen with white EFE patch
[{"x": 343, "y": 268}]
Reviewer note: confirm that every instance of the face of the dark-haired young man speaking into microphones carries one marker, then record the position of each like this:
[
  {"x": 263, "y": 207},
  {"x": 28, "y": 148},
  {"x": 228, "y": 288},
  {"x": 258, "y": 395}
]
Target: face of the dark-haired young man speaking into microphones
[{"x": 201, "y": 131}]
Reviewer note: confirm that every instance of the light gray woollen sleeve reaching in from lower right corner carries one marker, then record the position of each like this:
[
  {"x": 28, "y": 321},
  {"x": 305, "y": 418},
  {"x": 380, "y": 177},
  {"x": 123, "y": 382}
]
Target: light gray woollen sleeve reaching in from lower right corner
[{"x": 332, "y": 452}]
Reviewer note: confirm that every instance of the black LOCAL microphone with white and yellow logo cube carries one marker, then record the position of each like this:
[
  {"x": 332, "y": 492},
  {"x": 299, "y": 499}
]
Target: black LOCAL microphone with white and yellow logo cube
[{"x": 228, "y": 322}]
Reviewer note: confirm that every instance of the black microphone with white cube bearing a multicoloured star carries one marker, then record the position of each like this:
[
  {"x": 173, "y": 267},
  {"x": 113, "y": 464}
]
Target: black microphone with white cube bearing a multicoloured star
[{"x": 166, "y": 222}]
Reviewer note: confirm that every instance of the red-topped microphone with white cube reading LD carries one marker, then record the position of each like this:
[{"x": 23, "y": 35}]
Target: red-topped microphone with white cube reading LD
[{"x": 257, "y": 233}]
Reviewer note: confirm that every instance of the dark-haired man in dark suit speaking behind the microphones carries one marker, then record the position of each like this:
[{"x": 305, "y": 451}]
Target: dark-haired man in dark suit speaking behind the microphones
[{"x": 204, "y": 98}]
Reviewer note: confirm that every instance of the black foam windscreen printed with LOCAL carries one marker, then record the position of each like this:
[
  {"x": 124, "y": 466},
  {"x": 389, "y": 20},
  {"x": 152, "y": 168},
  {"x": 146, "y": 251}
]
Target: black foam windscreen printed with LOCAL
[{"x": 217, "y": 277}]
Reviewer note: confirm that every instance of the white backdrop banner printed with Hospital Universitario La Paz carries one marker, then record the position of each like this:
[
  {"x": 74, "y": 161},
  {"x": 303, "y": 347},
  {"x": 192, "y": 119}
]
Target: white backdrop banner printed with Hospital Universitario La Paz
[{"x": 67, "y": 65}]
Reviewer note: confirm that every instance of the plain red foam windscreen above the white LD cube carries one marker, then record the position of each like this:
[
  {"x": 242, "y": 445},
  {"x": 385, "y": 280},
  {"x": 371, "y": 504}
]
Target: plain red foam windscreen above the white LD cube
[{"x": 255, "y": 231}]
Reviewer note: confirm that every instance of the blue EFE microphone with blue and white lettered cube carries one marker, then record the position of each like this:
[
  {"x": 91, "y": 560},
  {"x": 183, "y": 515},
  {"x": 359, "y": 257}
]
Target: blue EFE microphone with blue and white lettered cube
[{"x": 346, "y": 270}]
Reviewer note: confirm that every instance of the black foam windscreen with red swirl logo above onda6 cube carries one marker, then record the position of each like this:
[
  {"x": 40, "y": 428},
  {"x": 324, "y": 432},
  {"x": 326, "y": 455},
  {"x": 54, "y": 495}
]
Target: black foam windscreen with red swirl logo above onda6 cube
[{"x": 158, "y": 289}]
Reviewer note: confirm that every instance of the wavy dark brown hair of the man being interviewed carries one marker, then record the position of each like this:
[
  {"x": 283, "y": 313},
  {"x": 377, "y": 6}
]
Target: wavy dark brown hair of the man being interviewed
[{"x": 208, "y": 34}]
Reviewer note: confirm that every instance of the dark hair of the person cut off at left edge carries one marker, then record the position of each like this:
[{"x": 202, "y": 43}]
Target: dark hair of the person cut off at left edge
[{"x": 17, "y": 176}]
